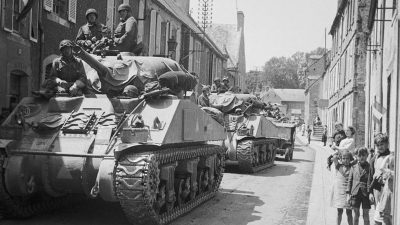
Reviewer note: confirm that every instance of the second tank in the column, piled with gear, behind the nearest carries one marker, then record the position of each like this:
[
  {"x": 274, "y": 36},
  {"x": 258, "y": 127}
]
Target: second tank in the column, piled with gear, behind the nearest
[{"x": 252, "y": 139}]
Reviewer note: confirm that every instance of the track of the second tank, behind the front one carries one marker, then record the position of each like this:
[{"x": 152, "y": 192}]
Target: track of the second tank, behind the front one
[{"x": 248, "y": 158}]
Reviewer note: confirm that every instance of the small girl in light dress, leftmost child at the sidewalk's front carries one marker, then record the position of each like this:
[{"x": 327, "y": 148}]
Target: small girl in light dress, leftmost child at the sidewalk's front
[{"x": 339, "y": 200}]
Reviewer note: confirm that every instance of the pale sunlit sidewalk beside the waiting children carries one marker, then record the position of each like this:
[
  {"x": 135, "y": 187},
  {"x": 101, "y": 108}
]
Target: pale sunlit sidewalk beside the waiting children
[{"x": 319, "y": 210}]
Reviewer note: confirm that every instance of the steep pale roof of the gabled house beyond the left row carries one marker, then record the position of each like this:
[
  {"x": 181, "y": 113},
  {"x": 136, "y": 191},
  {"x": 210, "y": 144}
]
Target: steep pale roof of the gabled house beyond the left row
[{"x": 227, "y": 37}]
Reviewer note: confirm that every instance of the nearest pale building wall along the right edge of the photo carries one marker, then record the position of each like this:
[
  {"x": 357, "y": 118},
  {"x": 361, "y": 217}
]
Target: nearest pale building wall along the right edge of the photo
[{"x": 382, "y": 105}]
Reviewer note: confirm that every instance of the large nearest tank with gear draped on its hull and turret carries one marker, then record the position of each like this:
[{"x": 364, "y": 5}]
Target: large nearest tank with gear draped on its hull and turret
[{"x": 152, "y": 154}]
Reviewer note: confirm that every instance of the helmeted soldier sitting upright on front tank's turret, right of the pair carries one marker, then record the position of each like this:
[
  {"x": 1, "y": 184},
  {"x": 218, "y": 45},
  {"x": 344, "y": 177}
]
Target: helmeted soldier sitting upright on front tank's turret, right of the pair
[{"x": 125, "y": 35}]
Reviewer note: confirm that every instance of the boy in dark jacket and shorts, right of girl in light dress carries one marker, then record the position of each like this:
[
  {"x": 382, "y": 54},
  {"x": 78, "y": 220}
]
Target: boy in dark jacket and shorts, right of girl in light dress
[{"x": 358, "y": 192}]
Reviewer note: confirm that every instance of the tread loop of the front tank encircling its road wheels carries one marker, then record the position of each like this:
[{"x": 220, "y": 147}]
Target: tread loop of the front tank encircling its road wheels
[{"x": 137, "y": 178}]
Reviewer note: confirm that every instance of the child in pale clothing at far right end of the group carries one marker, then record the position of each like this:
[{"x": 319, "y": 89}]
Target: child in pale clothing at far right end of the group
[{"x": 386, "y": 203}]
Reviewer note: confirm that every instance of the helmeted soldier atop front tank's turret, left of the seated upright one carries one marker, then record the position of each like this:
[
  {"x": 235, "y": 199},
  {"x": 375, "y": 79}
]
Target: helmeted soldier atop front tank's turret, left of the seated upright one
[{"x": 91, "y": 32}]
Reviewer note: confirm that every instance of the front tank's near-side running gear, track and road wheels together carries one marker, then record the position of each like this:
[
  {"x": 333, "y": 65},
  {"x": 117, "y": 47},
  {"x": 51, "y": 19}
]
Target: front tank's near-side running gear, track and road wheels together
[{"x": 157, "y": 187}]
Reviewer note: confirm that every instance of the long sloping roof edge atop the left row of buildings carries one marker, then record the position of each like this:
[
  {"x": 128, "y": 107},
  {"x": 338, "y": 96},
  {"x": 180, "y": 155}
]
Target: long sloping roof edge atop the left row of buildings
[{"x": 186, "y": 19}]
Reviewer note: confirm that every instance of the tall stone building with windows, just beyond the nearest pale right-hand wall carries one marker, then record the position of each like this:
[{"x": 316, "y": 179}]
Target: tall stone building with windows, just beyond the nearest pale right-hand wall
[{"x": 347, "y": 71}]
